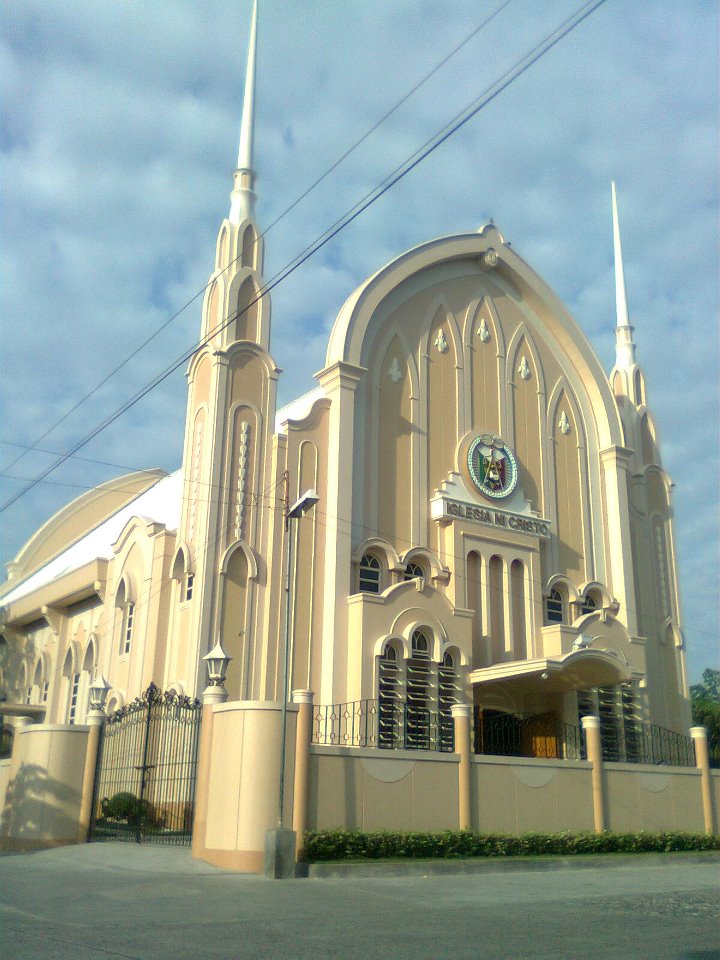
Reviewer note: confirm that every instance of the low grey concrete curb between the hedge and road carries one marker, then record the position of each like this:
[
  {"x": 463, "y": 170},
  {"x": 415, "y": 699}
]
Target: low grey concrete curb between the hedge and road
[{"x": 431, "y": 868}]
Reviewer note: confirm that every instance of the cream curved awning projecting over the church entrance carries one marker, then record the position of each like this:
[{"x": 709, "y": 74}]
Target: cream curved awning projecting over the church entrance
[{"x": 577, "y": 670}]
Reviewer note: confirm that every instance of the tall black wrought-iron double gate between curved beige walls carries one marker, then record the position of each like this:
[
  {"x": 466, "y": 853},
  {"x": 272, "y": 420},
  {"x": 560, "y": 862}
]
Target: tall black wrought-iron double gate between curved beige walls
[{"x": 145, "y": 781}]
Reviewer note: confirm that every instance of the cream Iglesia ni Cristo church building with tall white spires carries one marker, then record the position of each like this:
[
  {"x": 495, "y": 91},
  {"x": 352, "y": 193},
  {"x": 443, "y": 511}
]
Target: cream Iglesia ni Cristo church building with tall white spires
[{"x": 494, "y": 524}]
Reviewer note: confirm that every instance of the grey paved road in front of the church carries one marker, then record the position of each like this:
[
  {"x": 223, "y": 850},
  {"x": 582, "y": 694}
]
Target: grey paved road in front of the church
[{"x": 105, "y": 901}]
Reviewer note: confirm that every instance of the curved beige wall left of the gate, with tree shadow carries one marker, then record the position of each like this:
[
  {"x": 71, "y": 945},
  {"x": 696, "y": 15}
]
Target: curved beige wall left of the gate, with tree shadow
[{"x": 42, "y": 799}]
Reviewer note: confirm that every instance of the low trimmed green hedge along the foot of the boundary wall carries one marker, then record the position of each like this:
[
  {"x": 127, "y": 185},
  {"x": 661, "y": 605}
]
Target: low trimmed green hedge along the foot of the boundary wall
[{"x": 331, "y": 845}]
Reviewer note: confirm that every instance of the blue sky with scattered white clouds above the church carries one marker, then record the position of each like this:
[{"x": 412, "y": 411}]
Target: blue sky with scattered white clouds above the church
[{"x": 119, "y": 136}]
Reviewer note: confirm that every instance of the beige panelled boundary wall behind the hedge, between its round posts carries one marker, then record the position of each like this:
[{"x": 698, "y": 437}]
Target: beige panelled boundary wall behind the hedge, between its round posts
[{"x": 367, "y": 789}]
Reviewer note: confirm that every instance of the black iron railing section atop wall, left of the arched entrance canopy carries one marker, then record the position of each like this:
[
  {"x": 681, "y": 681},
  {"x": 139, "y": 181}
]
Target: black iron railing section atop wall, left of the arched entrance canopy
[{"x": 382, "y": 724}]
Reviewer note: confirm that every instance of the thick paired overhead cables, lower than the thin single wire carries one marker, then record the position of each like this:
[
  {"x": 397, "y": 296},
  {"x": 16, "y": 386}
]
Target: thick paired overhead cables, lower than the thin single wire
[{"x": 520, "y": 67}]
